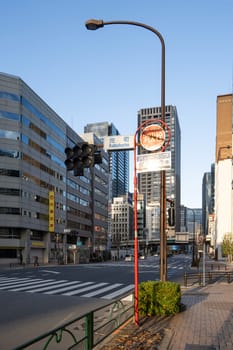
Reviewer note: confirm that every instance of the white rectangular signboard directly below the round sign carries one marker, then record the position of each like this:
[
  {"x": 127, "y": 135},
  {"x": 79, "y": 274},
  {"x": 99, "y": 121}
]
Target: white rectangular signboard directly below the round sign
[{"x": 153, "y": 162}]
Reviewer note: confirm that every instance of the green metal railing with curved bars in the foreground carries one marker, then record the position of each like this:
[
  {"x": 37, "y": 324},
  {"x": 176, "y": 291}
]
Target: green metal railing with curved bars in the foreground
[{"x": 87, "y": 330}]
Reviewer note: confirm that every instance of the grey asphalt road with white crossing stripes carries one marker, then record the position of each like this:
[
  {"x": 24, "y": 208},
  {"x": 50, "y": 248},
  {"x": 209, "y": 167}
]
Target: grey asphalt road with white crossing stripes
[{"x": 34, "y": 300}]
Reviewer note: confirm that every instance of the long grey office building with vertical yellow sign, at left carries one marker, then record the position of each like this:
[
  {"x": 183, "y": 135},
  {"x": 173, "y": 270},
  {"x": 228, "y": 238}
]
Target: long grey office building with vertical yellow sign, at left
[{"x": 45, "y": 210}]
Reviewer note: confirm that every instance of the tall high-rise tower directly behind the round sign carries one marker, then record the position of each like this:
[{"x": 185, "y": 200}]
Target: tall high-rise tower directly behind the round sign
[{"x": 149, "y": 183}]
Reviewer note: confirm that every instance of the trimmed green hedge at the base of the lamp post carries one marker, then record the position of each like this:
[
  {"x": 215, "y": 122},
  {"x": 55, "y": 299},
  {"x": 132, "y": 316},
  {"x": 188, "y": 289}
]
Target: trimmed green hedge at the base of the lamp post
[{"x": 159, "y": 298}]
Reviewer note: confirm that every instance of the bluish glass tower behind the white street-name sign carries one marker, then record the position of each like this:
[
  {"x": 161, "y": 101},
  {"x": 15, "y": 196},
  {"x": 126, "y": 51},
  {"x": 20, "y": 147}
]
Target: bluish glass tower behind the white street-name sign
[{"x": 118, "y": 162}]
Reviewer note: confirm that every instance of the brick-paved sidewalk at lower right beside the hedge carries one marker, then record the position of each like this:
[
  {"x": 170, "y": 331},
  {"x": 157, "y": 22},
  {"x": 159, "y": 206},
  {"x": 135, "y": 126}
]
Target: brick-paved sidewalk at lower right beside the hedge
[{"x": 207, "y": 322}]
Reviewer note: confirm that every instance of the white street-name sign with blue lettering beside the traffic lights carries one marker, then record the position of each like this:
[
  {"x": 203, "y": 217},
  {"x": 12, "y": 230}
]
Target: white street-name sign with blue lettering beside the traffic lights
[{"x": 118, "y": 143}]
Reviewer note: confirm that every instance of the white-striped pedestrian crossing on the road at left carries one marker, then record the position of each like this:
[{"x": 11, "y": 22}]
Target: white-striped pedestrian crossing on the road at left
[{"x": 103, "y": 290}]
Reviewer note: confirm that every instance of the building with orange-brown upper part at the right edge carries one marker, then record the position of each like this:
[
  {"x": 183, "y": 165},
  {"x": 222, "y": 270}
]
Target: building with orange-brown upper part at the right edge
[{"x": 223, "y": 170}]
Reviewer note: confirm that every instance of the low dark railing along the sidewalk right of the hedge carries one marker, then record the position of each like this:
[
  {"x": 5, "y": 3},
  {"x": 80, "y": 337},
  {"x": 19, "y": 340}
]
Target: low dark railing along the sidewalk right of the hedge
[{"x": 210, "y": 277}]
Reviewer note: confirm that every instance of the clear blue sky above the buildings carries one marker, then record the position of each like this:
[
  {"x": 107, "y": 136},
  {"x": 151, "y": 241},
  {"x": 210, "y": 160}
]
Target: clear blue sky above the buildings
[{"x": 109, "y": 74}]
